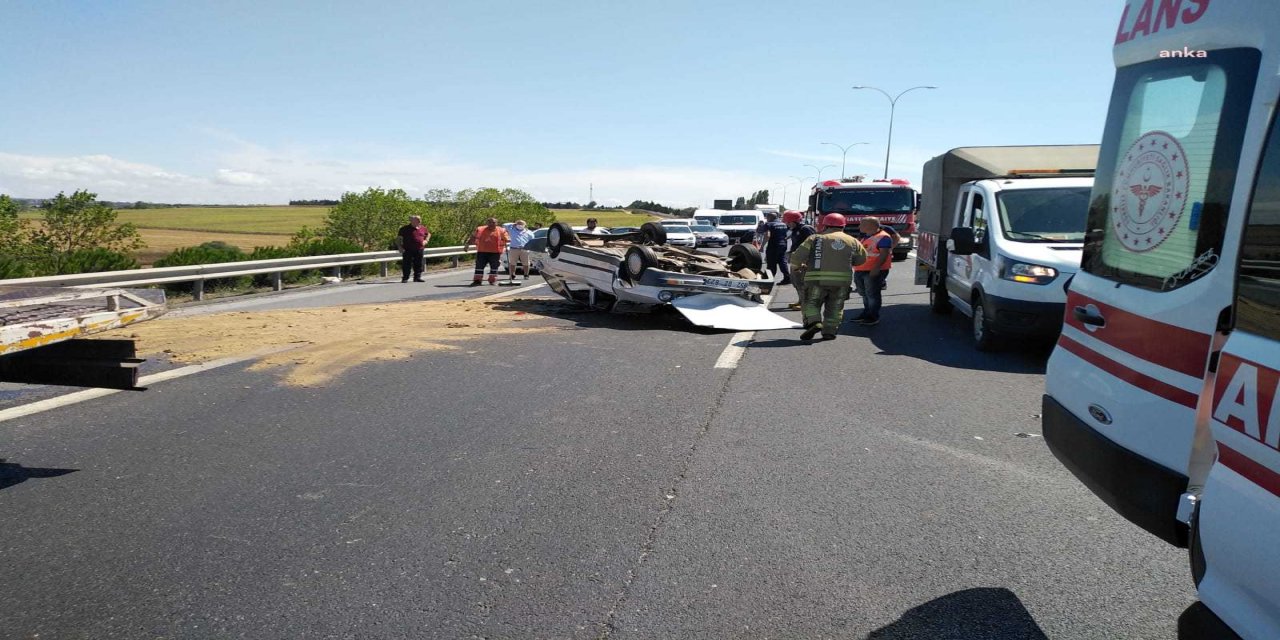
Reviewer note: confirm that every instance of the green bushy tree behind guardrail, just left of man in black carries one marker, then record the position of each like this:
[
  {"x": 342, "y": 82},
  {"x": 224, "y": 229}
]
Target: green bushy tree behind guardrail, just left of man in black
[{"x": 371, "y": 220}]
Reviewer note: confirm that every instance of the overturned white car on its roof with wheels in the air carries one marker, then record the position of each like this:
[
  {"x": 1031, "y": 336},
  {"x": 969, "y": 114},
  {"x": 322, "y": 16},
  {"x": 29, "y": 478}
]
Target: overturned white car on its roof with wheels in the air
[{"x": 612, "y": 272}]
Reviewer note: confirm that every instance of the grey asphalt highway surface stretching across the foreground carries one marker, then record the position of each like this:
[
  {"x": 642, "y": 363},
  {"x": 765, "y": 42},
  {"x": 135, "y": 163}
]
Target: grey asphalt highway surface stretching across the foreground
[{"x": 600, "y": 481}]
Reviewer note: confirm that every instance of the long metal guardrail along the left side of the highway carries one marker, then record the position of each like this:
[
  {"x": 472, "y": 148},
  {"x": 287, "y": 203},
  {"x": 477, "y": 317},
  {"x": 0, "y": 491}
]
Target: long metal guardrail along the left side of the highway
[{"x": 198, "y": 275}]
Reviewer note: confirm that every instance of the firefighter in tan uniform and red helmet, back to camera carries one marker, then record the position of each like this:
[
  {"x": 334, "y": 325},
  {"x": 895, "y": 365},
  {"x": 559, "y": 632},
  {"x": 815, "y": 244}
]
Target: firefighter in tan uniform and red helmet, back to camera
[{"x": 828, "y": 259}]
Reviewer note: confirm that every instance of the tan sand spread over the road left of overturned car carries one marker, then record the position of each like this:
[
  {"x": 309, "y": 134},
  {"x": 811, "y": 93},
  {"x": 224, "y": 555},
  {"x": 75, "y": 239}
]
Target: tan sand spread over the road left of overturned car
[{"x": 328, "y": 341}]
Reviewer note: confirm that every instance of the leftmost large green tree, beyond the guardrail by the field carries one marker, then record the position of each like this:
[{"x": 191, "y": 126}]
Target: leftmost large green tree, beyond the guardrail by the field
[{"x": 79, "y": 223}]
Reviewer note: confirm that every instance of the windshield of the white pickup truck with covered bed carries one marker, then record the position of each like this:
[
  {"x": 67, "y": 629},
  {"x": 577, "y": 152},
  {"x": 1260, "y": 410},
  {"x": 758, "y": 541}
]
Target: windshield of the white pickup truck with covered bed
[{"x": 1044, "y": 216}]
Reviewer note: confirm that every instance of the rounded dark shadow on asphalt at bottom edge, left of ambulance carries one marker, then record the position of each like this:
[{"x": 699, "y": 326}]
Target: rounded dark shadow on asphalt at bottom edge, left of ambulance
[{"x": 985, "y": 612}]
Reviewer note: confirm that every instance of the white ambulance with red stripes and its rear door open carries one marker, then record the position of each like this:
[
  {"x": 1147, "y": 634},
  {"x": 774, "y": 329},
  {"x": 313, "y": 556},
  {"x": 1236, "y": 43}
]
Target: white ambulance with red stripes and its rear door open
[{"x": 1160, "y": 395}]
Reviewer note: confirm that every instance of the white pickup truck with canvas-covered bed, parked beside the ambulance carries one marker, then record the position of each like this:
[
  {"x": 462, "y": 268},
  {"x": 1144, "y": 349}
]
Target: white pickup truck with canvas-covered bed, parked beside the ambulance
[{"x": 1003, "y": 234}]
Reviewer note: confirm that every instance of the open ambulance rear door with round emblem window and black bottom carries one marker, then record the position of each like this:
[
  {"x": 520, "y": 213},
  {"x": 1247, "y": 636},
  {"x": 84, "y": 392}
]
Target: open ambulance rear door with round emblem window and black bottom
[{"x": 1150, "y": 300}]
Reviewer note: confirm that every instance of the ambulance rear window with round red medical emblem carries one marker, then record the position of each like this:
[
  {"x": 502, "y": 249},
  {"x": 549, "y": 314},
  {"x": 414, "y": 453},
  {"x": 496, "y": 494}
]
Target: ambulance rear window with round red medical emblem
[{"x": 1168, "y": 167}]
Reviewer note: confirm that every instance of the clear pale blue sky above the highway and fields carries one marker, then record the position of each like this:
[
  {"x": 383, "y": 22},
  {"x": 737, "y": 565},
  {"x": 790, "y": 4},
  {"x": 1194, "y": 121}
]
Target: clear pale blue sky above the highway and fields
[{"x": 673, "y": 102}]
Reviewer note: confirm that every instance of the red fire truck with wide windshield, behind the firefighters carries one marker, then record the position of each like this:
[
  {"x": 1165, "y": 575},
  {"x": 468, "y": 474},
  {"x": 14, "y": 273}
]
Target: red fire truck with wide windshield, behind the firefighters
[{"x": 894, "y": 203}]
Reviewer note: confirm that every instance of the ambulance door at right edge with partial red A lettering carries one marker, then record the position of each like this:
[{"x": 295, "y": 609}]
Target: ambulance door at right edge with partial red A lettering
[{"x": 1240, "y": 513}]
